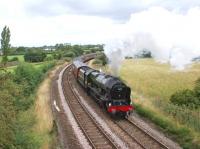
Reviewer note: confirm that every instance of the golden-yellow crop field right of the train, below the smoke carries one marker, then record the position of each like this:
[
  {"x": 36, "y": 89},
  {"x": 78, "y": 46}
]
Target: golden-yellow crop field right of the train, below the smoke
[{"x": 160, "y": 81}]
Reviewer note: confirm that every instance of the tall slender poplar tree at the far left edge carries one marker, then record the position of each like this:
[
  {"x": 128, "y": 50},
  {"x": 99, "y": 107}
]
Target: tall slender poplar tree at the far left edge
[{"x": 5, "y": 44}]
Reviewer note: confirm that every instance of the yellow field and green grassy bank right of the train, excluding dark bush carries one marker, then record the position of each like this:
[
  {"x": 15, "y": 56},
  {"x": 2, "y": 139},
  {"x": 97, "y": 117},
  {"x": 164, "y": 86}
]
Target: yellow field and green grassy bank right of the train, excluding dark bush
[{"x": 152, "y": 85}]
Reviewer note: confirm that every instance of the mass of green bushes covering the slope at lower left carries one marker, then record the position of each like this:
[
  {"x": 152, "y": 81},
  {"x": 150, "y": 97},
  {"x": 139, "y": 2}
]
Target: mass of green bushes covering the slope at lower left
[{"x": 16, "y": 101}]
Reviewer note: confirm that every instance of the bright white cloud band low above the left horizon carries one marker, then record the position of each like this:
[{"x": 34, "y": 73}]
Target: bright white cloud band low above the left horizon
[{"x": 74, "y": 29}]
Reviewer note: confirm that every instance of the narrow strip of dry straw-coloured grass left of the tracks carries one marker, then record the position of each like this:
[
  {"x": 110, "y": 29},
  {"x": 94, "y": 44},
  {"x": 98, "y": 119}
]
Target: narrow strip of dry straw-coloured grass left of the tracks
[{"x": 44, "y": 117}]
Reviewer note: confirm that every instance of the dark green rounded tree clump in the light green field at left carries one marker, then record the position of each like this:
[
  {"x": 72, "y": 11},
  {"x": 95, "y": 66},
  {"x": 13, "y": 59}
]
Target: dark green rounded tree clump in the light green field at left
[{"x": 35, "y": 56}]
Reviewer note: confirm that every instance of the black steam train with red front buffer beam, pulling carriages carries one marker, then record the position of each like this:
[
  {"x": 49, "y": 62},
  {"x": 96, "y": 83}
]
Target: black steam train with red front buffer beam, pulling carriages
[{"x": 108, "y": 91}]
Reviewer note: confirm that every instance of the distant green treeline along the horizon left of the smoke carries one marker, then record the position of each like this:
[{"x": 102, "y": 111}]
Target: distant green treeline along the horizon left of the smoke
[{"x": 59, "y": 51}]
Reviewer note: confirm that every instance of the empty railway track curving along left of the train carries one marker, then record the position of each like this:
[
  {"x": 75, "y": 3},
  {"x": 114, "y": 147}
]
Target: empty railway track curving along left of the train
[{"x": 95, "y": 135}]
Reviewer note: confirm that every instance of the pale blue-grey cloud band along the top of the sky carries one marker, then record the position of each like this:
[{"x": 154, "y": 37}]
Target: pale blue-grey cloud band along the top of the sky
[{"x": 114, "y": 9}]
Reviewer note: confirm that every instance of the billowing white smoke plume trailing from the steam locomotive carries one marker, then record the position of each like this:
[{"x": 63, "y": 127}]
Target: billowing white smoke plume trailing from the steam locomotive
[{"x": 170, "y": 36}]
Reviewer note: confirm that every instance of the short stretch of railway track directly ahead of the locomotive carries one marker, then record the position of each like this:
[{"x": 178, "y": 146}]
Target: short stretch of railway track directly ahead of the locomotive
[{"x": 142, "y": 137}]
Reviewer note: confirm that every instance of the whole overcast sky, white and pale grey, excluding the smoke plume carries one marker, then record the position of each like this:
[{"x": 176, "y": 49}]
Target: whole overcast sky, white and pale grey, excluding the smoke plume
[{"x": 47, "y": 22}]
